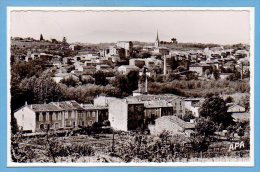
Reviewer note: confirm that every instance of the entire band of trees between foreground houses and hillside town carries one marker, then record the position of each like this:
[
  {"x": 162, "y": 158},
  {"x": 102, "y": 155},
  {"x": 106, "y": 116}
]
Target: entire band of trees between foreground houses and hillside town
[{"x": 32, "y": 82}]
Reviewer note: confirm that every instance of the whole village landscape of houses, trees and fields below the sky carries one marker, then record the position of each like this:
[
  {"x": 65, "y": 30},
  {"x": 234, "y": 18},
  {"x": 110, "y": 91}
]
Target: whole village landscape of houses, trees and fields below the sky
[{"x": 192, "y": 95}]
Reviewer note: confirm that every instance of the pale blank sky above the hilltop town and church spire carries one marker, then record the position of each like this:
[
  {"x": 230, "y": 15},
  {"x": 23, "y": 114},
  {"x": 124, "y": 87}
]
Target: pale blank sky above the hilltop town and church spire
[{"x": 220, "y": 27}]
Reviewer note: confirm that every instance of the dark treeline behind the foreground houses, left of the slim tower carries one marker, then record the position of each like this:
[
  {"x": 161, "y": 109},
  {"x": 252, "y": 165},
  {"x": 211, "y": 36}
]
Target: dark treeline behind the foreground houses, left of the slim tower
[{"x": 32, "y": 83}]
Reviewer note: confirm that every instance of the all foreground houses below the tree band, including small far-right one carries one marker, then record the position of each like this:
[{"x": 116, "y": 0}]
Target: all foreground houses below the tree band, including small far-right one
[{"x": 153, "y": 112}]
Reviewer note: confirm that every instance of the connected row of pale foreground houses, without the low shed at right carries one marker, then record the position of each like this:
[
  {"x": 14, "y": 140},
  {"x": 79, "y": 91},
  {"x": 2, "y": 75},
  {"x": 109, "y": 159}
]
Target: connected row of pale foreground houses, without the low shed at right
[{"x": 126, "y": 114}]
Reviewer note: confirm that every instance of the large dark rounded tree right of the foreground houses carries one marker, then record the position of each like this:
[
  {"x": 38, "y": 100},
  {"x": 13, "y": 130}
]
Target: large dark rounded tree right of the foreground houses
[{"x": 215, "y": 109}]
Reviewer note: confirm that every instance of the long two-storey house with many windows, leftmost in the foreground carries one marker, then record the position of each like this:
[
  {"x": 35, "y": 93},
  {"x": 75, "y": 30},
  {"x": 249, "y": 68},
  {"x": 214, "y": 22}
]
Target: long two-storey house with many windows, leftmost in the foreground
[{"x": 58, "y": 115}]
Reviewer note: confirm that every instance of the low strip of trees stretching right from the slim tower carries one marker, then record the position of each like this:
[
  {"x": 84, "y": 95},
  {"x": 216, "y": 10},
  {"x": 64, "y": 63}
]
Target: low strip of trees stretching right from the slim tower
[{"x": 198, "y": 88}]
